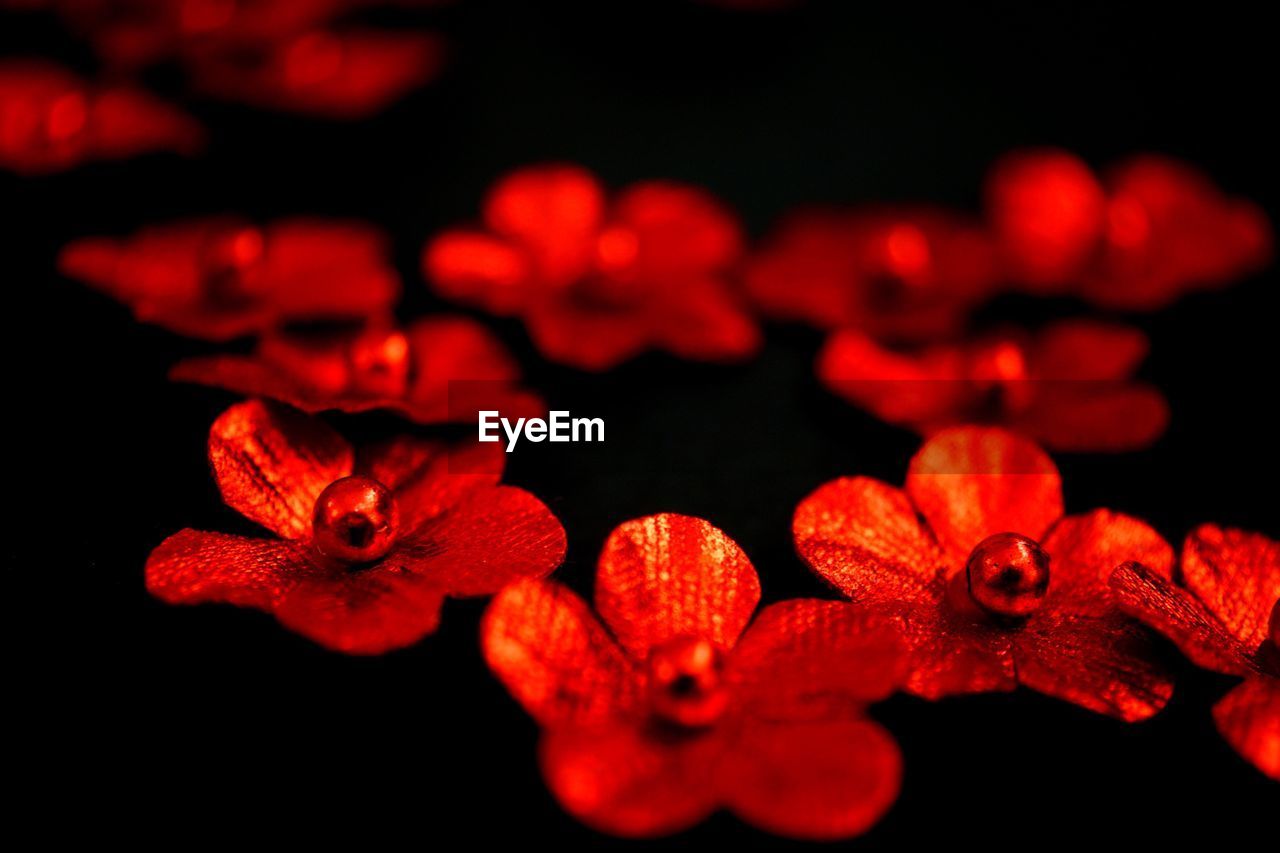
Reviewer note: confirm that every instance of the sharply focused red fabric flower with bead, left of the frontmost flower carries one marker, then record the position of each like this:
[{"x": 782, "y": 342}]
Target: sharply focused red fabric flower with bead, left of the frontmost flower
[{"x": 369, "y": 546}]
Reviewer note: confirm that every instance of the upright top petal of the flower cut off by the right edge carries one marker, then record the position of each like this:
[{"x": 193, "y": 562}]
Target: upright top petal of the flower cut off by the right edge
[{"x": 1237, "y": 576}]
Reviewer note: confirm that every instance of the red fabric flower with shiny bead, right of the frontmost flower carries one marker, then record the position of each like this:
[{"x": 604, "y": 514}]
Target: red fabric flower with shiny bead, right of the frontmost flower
[{"x": 991, "y": 585}]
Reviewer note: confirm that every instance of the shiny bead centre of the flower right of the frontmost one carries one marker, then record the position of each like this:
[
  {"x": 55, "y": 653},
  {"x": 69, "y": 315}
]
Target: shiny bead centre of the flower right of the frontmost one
[{"x": 1008, "y": 576}]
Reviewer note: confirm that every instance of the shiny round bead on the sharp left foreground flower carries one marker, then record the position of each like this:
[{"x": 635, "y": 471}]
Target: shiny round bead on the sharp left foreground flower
[{"x": 355, "y": 521}]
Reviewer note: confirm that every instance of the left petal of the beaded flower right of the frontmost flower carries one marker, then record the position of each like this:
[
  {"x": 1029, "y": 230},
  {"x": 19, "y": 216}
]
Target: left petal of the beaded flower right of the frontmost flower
[{"x": 863, "y": 537}]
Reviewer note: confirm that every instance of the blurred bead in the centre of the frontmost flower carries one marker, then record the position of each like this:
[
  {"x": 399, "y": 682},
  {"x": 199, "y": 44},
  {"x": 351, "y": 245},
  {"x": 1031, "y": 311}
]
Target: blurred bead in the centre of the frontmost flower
[{"x": 687, "y": 682}]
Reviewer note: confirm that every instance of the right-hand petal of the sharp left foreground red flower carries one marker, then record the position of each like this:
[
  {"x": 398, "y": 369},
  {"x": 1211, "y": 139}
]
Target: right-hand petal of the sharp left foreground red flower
[{"x": 488, "y": 540}]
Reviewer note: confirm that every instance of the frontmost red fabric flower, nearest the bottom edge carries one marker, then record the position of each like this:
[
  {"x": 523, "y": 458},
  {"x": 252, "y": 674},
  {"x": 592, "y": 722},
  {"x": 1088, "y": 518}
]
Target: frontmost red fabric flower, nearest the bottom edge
[{"x": 669, "y": 711}]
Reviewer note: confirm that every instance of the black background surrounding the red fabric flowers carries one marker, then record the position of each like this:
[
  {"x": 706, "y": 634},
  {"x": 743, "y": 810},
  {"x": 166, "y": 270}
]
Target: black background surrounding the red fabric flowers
[{"x": 198, "y": 723}]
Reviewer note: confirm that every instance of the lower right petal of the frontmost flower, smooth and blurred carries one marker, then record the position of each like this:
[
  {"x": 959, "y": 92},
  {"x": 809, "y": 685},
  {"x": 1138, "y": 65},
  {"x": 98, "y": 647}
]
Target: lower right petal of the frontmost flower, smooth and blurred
[{"x": 817, "y": 781}]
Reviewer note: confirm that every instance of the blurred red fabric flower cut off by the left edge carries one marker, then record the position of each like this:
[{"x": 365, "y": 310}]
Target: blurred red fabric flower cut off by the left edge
[{"x": 52, "y": 121}]
